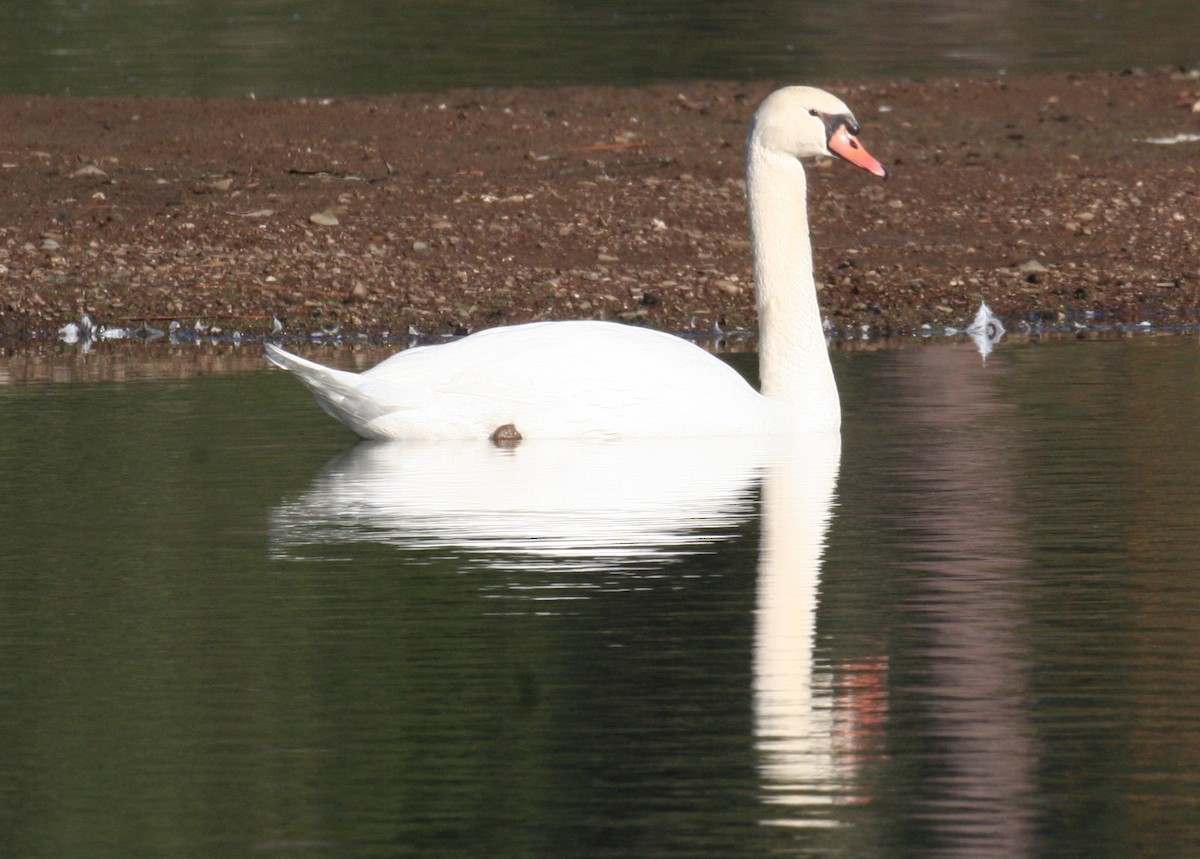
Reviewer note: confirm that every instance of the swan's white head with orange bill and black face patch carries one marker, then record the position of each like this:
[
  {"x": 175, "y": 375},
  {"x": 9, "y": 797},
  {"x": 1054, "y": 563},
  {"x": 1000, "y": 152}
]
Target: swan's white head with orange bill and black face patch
[{"x": 805, "y": 123}]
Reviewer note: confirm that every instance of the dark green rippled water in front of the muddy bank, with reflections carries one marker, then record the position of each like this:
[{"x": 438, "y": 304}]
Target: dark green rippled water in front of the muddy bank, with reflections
[{"x": 973, "y": 629}]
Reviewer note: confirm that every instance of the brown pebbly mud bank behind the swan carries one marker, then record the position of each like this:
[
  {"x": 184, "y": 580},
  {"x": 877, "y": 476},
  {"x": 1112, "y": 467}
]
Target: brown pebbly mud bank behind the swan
[{"x": 461, "y": 211}]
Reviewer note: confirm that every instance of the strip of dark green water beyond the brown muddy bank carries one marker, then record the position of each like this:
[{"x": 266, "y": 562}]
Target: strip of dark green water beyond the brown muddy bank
[{"x": 322, "y": 49}]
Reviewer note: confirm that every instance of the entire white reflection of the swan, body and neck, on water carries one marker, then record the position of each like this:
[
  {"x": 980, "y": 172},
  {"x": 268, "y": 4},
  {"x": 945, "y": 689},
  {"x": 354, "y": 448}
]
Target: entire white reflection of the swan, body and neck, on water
[{"x": 586, "y": 512}]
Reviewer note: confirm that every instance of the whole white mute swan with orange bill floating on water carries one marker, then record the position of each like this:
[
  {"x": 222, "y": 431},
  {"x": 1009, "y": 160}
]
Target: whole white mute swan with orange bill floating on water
[{"x": 587, "y": 379}]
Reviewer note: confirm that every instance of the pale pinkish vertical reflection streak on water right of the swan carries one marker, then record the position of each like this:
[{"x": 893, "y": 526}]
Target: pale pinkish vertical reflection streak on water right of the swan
[{"x": 970, "y": 608}]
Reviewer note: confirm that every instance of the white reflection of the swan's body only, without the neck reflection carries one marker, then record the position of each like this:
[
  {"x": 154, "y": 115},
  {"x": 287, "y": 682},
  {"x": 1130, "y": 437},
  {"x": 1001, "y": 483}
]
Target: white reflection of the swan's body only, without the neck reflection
[{"x": 548, "y": 506}]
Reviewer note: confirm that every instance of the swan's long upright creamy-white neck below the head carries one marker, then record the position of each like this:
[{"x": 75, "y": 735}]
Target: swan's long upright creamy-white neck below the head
[{"x": 794, "y": 359}]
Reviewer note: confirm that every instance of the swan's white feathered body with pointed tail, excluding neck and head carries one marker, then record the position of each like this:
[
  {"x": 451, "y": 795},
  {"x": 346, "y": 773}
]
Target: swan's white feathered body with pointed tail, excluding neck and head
[{"x": 555, "y": 380}]
